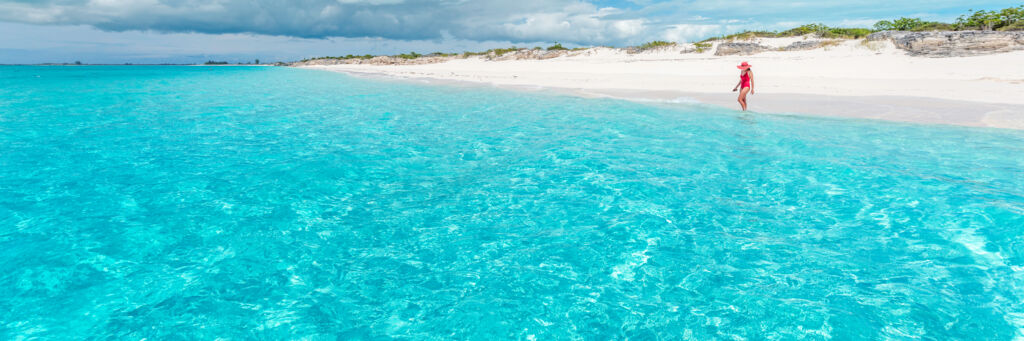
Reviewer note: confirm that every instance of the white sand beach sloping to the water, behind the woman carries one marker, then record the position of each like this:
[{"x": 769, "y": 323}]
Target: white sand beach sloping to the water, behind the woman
[{"x": 854, "y": 78}]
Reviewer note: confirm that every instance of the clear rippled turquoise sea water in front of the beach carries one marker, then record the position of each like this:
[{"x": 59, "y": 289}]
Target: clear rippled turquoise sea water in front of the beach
[{"x": 270, "y": 203}]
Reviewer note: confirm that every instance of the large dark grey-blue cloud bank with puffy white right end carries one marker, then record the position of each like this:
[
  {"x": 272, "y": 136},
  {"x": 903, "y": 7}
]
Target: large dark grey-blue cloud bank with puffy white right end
[{"x": 567, "y": 21}]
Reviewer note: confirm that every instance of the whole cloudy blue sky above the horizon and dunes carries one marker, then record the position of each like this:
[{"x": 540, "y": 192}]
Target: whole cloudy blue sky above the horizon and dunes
[{"x": 191, "y": 31}]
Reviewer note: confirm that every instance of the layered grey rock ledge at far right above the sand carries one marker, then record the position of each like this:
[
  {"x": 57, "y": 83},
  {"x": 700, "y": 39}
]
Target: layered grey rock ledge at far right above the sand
[{"x": 953, "y": 44}]
